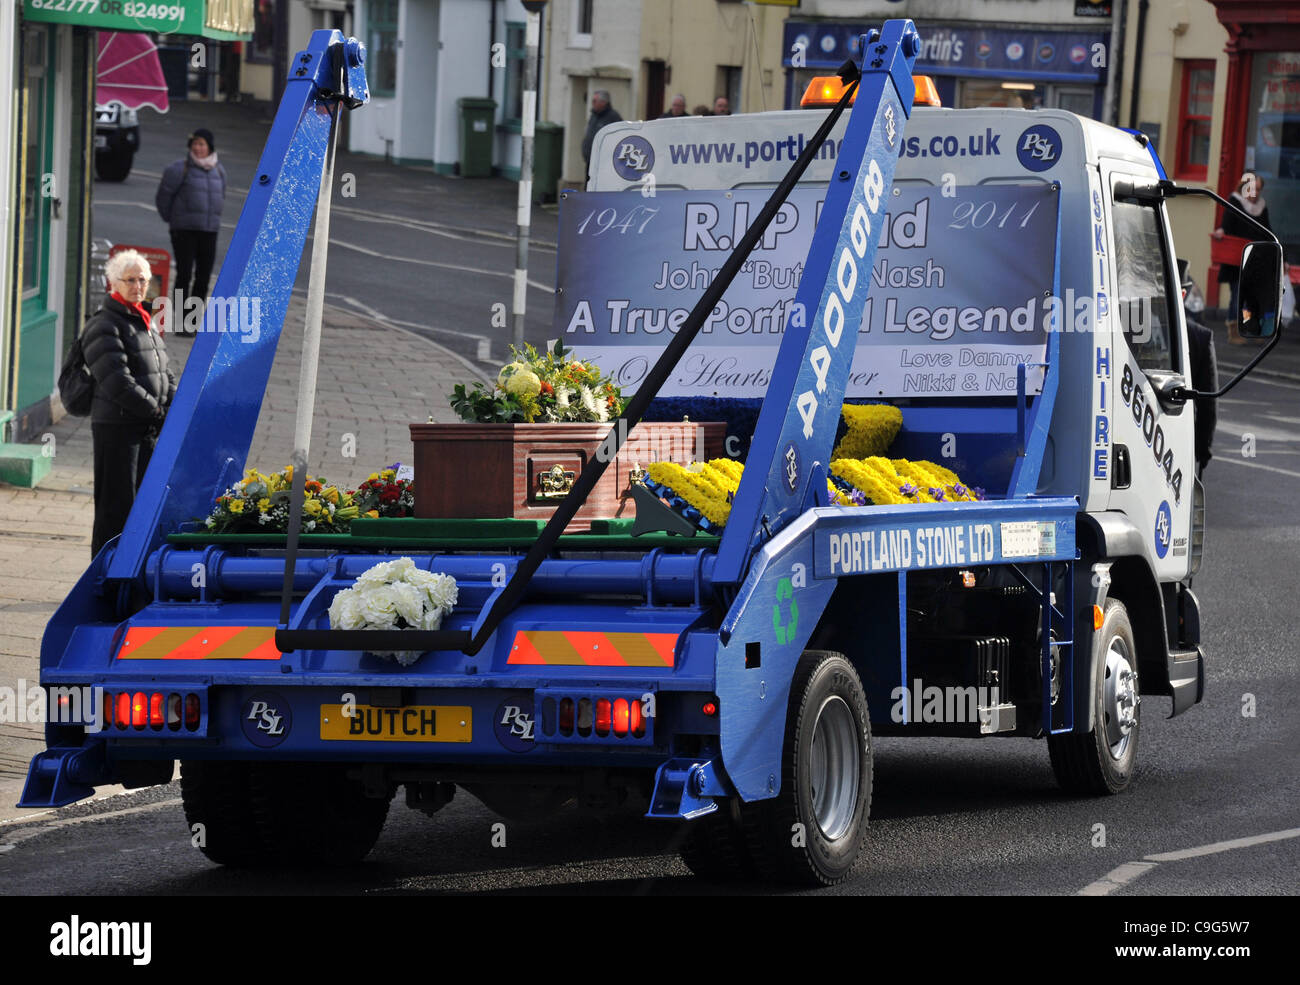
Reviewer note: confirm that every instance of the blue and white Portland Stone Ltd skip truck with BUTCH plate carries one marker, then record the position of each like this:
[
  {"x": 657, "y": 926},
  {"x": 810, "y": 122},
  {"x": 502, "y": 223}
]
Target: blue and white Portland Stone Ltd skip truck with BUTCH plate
[{"x": 744, "y": 672}]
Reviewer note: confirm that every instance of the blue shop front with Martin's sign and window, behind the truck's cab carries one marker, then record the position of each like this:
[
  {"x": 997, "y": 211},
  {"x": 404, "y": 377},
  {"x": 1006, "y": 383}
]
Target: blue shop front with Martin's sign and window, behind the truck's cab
[{"x": 973, "y": 66}]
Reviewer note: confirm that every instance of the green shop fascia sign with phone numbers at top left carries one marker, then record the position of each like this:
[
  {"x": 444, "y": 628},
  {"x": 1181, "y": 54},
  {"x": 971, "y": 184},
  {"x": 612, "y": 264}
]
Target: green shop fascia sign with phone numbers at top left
[{"x": 222, "y": 20}]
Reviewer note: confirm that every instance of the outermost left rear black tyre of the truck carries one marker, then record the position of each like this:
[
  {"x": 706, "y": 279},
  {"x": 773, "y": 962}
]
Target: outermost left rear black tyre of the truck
[{"x": 218, "y": 809}]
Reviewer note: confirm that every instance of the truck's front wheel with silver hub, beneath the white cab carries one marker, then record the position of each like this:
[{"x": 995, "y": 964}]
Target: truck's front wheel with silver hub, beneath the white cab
[{"x": 1103, "y": 761}]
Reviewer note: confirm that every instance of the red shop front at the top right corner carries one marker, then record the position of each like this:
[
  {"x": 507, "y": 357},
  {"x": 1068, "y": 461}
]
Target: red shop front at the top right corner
[{"x": 1262, "y": 110}]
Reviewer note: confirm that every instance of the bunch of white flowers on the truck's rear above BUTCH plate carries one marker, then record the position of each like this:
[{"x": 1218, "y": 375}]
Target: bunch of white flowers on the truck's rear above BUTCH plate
[{"x": 395, "y": 596}]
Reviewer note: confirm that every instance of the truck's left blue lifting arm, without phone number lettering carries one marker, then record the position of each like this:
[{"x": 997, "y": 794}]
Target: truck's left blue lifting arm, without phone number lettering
[{"x": 210, "y": 428}]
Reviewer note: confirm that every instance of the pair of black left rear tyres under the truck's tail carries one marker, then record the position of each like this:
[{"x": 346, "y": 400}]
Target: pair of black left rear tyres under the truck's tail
[{"x": 280, "y": 814}]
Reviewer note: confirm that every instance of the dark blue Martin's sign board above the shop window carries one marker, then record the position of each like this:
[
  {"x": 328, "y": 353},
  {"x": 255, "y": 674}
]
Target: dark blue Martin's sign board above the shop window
[{"x": 1035, "y": 54}]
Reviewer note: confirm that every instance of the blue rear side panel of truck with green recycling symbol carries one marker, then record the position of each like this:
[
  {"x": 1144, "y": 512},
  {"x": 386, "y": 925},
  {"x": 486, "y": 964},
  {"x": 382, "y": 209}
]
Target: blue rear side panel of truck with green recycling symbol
[{"x": 761, "y": 643}]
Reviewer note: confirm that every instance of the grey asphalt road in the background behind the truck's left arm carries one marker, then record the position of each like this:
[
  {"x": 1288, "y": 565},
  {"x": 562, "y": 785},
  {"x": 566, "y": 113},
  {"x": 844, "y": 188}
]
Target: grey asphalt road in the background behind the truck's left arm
[{"x": 430, "y": 253}]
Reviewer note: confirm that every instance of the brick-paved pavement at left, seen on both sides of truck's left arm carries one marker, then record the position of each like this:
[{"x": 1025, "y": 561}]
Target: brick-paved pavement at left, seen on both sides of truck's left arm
[{"x": 45, "y": 532}]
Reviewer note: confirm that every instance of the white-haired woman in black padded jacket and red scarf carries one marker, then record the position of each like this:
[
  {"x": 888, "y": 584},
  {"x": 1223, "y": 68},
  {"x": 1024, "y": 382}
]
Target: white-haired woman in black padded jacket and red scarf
[{"x": 133, "y": 390}]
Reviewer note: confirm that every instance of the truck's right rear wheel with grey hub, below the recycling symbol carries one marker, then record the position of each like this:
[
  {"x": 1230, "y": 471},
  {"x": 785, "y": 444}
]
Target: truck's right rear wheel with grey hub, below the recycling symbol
[{"x": 813, "y": 831}]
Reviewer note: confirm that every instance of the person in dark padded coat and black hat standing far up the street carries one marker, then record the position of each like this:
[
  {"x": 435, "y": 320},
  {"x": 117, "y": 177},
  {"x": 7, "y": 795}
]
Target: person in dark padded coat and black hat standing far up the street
[{"x": 189, "y": 199}]
